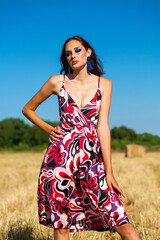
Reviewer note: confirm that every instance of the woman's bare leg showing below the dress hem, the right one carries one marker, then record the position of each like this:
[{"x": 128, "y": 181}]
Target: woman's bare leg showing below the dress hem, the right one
[{"x": 127, "y": 232}]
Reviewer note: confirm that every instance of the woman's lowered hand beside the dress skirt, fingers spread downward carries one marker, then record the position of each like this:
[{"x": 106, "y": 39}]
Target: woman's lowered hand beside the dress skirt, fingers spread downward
[{"x": 112, "y": 183}]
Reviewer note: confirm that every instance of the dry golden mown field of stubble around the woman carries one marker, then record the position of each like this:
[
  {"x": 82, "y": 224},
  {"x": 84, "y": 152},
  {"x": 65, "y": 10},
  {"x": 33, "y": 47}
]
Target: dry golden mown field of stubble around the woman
[{"x": 139, "y": 178}]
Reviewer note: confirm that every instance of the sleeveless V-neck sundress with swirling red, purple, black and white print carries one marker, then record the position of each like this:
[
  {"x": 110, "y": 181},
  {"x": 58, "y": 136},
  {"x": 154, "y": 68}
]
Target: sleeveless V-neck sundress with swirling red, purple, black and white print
[{"x": 72, "y": 188}]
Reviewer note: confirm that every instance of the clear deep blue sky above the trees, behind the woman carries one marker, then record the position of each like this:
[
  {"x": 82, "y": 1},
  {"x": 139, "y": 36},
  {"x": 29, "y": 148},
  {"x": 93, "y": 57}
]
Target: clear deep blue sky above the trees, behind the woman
[{"x": 124, "y": 34}]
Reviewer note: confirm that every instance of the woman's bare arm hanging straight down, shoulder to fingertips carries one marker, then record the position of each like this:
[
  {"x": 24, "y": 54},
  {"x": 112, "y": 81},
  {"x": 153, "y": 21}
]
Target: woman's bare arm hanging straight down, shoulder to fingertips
[{"x": 104, "y": 135}]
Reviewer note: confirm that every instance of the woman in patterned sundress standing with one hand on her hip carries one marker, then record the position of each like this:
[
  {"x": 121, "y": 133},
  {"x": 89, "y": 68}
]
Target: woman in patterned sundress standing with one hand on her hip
[{"x": 77, "y": 190}]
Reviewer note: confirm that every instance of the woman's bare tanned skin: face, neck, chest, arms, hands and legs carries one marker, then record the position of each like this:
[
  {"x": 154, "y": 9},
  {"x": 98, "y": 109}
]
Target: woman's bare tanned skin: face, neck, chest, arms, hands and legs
[{"x": 86, "y": 83}]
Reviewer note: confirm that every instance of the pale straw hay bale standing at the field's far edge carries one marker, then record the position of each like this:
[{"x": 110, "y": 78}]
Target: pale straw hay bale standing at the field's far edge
[{"x": 134, "y": 150}]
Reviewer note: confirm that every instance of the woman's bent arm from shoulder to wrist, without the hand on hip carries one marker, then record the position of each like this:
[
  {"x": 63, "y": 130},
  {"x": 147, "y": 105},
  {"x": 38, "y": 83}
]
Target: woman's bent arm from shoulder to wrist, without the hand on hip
[{"x": 51, "y": 86}]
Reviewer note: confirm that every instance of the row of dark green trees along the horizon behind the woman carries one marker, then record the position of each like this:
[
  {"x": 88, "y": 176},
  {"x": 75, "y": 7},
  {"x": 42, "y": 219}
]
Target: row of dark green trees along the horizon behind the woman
[{"x": 17, "y": 135}]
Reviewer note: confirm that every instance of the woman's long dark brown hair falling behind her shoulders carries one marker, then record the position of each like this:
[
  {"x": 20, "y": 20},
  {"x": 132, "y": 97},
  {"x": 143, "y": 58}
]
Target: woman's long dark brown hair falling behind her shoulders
[{"x": 95, "y": 61}]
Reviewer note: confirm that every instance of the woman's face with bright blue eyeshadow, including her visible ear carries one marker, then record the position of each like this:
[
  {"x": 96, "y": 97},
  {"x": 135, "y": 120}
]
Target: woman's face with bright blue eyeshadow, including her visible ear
[{"x": 76, "y": 54}]
